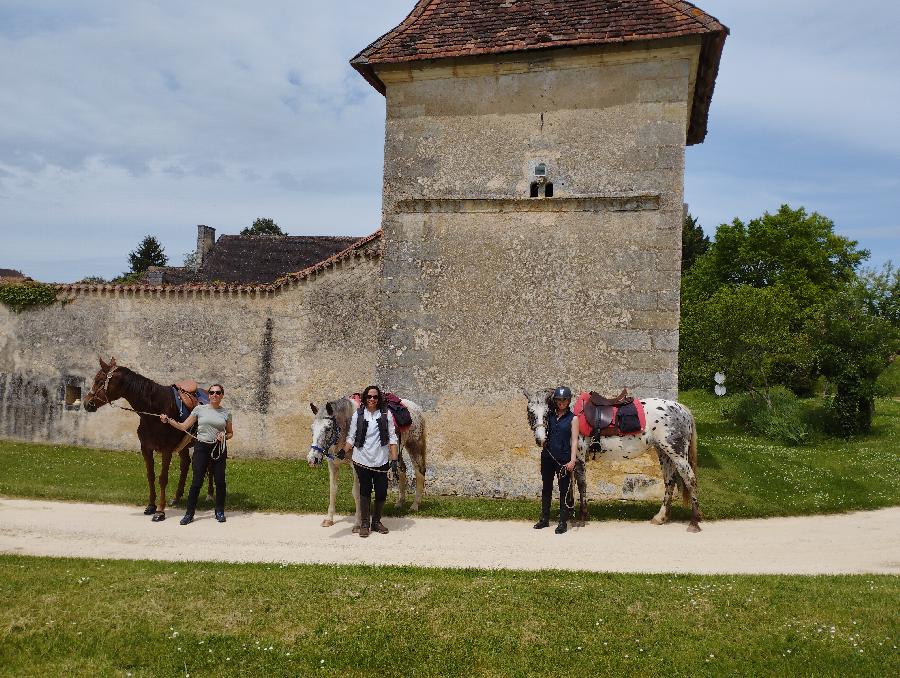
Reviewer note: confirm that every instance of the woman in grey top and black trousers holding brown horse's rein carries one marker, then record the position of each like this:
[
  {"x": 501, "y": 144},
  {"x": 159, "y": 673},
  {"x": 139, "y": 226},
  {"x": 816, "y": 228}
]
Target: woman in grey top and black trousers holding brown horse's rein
[{"x": 213, "y": 429}]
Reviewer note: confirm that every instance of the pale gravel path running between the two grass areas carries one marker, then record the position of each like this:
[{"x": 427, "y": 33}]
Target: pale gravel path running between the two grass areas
[{"x": 866, "y": 542}]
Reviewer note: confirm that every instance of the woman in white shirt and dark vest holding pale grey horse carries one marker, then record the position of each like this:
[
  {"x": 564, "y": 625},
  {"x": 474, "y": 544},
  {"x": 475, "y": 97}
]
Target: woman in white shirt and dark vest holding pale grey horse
[{"x": 373, "y": 439}]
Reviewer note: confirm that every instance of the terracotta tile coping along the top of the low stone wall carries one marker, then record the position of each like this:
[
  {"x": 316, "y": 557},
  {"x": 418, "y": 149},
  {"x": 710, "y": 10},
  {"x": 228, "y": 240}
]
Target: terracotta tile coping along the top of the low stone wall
[{"x": 367, "y": 246}]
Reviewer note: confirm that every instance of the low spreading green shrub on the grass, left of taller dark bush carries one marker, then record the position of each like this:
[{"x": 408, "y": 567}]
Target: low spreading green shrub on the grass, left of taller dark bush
[{"x": 775, "y": 414}]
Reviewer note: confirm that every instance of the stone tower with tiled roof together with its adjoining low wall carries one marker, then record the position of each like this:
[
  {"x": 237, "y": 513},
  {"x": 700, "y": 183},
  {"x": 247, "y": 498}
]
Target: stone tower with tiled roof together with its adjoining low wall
[{"x": 533, "y": 191}]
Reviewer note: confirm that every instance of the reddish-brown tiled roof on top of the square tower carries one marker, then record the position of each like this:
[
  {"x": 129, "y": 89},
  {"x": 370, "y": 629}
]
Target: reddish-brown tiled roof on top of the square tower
[{"x": 440, "y": 29}]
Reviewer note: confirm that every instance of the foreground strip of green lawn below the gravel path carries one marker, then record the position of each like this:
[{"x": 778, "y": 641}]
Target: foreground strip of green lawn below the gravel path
[{"x": 127, "y": 618}]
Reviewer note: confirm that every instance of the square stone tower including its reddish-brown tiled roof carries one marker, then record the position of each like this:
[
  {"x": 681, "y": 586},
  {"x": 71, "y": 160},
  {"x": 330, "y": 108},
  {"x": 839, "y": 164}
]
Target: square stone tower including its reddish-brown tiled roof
[{"x": 533, "y": 192}]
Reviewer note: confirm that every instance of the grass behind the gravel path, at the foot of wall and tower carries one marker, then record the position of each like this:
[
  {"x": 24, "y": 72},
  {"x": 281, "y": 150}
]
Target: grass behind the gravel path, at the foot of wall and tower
[{"x": 740, "y": 476}]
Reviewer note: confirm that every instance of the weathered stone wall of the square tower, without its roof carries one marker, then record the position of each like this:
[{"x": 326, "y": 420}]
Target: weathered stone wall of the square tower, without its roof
[{"x": 489, "y": 290}]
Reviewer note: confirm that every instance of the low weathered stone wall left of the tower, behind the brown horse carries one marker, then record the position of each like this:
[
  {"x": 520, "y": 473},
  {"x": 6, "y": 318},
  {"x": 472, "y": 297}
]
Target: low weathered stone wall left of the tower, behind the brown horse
[{"x": 275, "y": 351}]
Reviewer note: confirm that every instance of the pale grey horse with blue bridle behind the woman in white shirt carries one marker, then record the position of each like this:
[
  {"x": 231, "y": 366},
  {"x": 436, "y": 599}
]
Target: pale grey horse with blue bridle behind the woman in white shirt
[{"x": 329, "y": 432}]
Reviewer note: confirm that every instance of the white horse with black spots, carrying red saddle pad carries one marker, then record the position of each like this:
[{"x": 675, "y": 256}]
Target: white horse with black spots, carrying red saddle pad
[{"x": 670, "y": 431}]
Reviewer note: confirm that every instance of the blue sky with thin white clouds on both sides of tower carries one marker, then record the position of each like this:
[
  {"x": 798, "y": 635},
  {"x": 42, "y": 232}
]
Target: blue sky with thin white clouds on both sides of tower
[{"x": 125, "y": 119}]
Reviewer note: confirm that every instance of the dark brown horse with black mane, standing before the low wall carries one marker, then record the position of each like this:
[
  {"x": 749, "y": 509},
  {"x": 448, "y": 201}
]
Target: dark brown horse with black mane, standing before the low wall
[{"x": 149, "y": 400}]
